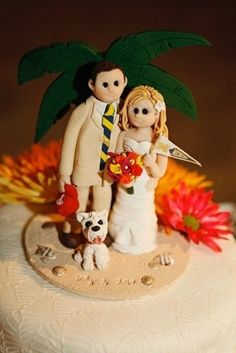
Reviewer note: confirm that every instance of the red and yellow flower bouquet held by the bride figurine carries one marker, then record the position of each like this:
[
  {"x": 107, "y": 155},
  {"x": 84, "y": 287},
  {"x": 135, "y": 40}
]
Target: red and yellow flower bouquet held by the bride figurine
[{"x": 124, "y": 167}]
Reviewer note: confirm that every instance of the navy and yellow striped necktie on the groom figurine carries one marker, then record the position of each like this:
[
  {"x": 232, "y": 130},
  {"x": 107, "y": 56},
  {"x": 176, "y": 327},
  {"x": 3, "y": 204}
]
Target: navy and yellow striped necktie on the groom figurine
[{"x": 107, "y": 124}]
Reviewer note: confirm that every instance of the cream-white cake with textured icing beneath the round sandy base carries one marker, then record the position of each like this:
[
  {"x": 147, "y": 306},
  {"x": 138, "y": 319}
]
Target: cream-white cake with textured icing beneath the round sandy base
[{"x": 197, "y": 314}]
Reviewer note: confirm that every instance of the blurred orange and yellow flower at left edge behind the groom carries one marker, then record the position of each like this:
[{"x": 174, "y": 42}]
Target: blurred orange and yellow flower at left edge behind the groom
[{"x": 31, "y": 176}]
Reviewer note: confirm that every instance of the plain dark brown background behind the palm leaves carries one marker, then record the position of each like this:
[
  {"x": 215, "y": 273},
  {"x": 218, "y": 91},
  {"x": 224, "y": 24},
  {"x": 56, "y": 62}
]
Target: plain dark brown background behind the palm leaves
[{"x": 208, "y": 71}]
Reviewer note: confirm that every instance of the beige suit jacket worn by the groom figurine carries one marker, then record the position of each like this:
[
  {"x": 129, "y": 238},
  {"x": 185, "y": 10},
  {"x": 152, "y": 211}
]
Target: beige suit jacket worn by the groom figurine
[{"x": 82, "y": 143}]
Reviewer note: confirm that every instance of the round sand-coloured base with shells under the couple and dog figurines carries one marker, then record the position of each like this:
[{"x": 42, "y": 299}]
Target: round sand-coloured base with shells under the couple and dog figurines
[{"x": 127, "y": 276}]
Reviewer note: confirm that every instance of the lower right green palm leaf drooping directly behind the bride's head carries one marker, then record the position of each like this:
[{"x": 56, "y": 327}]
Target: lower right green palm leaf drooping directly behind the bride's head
[{"x": 175, "y": 93}]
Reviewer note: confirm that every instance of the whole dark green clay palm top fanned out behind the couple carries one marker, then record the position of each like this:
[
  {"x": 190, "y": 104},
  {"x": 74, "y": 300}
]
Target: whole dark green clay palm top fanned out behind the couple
[{"x": 74, "y": 62}]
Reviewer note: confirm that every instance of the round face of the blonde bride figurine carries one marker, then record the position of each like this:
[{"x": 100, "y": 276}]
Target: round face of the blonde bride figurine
[{"x": 142, "y": 114}]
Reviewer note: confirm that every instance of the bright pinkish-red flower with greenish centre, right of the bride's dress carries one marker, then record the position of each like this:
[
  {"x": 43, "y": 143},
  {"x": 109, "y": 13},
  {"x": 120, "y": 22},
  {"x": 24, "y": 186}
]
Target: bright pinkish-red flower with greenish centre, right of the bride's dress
[{"x": 193, "y": 213}]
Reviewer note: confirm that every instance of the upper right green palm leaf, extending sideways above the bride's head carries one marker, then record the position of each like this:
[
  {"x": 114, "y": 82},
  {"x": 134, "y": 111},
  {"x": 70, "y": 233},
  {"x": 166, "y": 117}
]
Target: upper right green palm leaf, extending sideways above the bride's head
[{"x": 143, "y": 47}]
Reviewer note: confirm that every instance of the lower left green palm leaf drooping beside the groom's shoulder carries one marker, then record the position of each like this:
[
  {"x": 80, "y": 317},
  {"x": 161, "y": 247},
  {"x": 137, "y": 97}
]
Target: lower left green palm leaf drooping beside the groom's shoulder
[{"x": 58, "y": 97}]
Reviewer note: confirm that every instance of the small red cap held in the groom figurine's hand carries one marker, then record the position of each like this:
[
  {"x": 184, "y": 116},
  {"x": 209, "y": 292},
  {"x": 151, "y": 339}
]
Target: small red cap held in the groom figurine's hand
[{"x": 68, "y": 203}]
